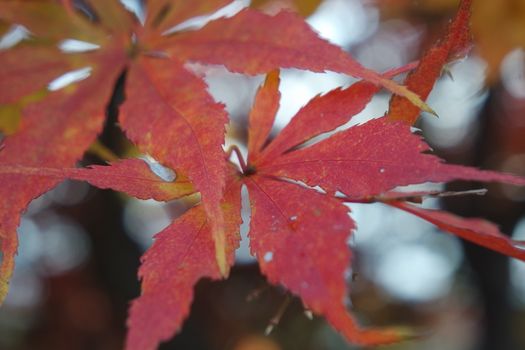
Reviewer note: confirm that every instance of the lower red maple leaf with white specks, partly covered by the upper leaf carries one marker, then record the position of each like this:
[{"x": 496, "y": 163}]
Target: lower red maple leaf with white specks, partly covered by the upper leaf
[{"x": 298, "y": 234}]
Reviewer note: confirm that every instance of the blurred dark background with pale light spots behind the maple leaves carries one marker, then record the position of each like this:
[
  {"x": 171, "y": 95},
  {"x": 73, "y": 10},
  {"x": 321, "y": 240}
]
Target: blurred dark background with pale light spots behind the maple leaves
[{"x": 80, "y": 247}]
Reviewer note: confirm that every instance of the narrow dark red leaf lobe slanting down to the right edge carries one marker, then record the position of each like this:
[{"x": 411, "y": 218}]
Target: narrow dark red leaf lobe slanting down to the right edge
[{"x": 478, "y": 231}]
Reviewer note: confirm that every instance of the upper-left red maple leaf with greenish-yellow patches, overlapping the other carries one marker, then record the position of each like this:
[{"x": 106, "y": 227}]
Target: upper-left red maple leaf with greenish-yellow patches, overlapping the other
[{"x": 165, "y": 102}]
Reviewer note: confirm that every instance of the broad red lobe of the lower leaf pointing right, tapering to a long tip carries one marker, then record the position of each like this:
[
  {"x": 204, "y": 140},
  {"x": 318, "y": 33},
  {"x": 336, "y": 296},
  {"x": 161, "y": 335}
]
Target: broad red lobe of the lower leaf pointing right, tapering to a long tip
[{"x": 370, "y": 159}]
